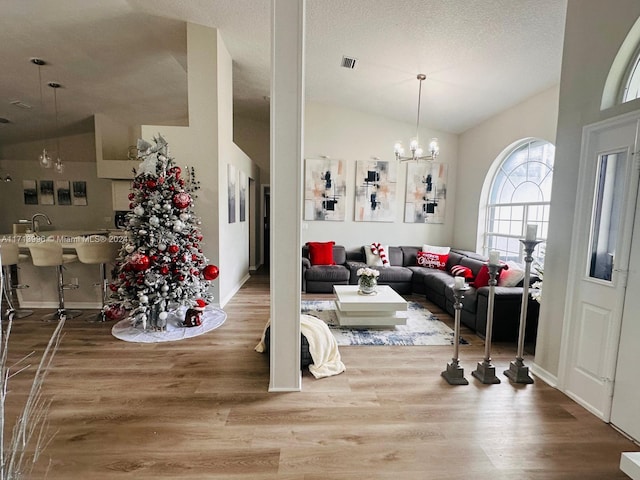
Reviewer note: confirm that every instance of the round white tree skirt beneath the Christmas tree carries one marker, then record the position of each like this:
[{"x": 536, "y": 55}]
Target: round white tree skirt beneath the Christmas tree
[{"x": 212, "y": 318}]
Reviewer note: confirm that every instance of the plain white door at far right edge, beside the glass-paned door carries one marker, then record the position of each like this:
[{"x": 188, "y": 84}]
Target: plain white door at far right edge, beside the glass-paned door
[{"x": 626, "y": 394}]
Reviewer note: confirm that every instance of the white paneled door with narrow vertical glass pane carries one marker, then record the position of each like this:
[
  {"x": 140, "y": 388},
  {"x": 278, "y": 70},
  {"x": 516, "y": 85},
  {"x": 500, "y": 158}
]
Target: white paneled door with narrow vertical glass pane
[{"x": 599, "y": 264}]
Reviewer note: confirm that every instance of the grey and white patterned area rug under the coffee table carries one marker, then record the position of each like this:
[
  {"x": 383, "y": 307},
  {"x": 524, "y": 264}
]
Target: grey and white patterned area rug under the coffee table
[{"x": 422, "y": 327}]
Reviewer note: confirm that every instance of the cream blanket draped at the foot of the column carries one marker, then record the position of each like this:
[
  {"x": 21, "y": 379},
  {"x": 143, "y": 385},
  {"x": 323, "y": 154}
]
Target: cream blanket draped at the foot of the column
[{"x": 322, "y": 347}]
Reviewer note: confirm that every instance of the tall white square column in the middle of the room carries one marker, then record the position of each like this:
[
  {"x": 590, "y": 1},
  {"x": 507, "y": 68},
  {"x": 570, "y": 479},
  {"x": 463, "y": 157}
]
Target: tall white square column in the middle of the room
[{"x": 287, "y": 113}]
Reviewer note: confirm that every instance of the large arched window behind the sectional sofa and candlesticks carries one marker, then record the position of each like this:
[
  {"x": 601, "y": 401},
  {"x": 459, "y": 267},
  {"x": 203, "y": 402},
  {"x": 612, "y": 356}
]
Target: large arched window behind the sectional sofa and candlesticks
[{"x": 520, "y": 195}]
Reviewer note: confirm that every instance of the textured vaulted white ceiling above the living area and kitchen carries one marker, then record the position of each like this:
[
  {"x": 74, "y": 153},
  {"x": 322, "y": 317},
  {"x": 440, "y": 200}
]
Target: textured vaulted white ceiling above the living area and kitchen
[{"x": 127, "y": 59}]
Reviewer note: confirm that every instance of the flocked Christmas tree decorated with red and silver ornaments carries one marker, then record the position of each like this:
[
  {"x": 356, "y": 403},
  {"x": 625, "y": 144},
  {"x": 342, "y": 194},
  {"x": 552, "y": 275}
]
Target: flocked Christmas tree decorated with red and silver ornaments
[{"x": 160, "y": 265}]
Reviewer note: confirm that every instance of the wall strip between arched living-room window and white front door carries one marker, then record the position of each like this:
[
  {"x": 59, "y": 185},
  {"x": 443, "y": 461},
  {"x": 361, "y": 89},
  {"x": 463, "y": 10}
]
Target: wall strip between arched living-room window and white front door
[{"x": 594, "y": 32}]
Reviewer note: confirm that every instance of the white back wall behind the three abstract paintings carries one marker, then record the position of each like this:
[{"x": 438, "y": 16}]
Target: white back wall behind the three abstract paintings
[{"x": 351, "y": 135}]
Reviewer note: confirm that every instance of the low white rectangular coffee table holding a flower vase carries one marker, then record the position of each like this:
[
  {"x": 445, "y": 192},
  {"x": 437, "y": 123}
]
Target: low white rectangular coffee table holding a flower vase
[{"x": 384, "y": 309}]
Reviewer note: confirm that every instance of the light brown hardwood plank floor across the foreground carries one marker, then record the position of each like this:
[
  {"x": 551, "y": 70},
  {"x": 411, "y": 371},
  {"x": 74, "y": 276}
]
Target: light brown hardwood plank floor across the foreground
[{"x": 199, "y": 409}]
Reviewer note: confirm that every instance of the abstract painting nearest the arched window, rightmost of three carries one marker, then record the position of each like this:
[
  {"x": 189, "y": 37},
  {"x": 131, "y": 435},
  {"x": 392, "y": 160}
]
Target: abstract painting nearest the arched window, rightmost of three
[{"x": 426, "y": 192}]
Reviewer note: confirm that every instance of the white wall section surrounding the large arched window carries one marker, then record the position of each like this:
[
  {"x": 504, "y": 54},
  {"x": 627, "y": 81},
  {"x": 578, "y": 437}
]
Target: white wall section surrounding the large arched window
[{"x": 481, "y": 145}]
